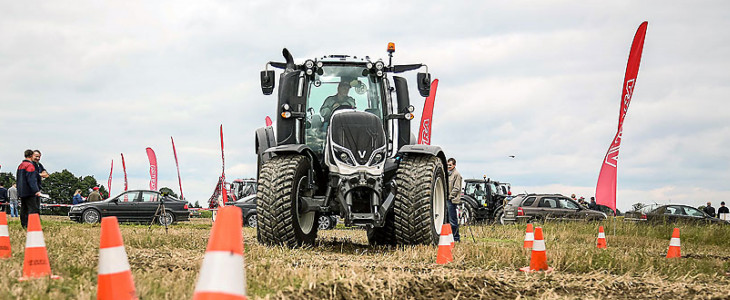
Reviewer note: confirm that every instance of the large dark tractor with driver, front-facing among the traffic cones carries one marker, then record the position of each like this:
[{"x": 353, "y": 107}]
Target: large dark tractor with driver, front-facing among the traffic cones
[{"x": 342, "y": 145}]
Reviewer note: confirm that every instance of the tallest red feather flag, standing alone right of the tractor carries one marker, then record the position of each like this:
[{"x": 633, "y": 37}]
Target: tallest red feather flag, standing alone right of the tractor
[{"x": 606, "y": 186}]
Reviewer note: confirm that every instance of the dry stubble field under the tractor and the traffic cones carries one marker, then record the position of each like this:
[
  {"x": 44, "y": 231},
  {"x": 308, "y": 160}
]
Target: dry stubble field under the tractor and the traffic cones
[{"x": 343, "y": 266}]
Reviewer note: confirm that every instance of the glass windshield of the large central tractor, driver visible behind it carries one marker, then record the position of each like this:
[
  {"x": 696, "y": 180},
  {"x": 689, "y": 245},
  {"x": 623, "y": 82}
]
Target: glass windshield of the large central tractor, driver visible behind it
[{"x": 339, "y": 87}]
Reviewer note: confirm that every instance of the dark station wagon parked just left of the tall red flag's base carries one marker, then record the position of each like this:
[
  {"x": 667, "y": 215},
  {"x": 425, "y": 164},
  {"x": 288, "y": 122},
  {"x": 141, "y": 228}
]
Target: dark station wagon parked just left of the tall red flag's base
[{"x": 545, "y": 207}]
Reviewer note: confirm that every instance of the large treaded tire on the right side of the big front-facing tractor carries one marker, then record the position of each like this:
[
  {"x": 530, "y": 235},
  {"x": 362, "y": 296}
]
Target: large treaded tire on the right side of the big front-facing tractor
[{"x": 419, "y": 208}]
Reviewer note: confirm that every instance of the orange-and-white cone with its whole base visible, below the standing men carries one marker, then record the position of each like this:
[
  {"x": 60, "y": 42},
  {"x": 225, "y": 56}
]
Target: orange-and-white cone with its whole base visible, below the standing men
[{"x": 36, "y": 264}]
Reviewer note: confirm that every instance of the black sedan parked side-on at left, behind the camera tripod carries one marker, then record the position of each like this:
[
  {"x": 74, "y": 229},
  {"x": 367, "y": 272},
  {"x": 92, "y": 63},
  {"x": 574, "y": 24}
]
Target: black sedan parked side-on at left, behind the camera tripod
[{"x": 132, "y": 206}]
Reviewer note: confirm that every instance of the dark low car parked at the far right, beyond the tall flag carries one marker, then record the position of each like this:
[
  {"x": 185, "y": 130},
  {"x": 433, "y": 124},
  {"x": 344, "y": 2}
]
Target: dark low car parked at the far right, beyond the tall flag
[{"x": 671, "y": 213}]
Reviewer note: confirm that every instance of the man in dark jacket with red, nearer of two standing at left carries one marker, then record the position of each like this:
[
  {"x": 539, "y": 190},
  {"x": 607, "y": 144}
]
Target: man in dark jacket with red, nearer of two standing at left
[{"x": 28, "y": 188}]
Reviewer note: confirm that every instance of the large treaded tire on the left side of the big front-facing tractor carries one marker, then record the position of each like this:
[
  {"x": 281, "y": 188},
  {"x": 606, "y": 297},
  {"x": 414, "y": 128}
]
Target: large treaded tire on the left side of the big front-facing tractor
[{"x": 281, "y": 181}]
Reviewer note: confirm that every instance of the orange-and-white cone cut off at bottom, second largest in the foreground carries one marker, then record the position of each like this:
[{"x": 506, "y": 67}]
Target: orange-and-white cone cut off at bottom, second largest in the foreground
[{"x": 115, "y": 277}]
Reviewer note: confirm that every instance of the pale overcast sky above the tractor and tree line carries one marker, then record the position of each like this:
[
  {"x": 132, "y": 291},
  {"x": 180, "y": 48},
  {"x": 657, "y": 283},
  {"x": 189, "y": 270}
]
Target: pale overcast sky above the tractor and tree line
[{"x": 85, "y": 81}]
